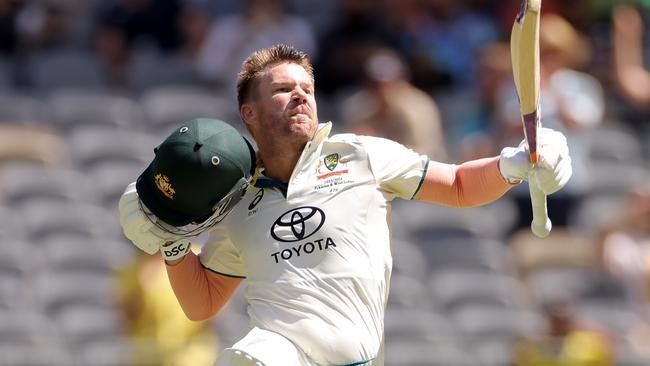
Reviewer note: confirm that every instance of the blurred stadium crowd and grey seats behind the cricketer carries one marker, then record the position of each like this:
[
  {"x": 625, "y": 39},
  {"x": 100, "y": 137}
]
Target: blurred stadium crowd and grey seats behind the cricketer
[{"x": 89, "y": 87}]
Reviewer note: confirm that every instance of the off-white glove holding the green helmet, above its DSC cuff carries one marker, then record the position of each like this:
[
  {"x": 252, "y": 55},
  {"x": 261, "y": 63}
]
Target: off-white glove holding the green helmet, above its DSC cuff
[{"x": 139, "y": 227}]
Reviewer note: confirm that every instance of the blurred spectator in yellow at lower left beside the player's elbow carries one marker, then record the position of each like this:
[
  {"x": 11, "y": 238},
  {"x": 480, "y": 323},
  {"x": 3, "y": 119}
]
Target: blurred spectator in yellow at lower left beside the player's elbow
[{"x": 157, "y": 327}]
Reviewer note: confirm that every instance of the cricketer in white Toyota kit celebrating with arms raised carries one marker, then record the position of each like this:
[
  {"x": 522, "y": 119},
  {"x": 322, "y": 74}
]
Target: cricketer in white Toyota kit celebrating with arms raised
[{"x": 311, "y": 233}]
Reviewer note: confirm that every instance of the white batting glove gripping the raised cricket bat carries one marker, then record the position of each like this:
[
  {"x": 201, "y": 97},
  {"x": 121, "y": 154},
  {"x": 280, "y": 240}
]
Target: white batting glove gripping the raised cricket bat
[{"x": 553, "y": 168}]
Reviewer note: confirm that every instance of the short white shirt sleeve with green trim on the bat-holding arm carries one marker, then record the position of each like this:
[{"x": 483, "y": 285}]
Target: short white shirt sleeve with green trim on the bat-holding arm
[{"x": 399, "y": 171}]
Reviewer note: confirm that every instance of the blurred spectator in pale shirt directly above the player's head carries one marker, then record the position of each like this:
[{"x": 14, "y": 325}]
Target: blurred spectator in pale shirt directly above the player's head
[{"x": 232, "y": 38}]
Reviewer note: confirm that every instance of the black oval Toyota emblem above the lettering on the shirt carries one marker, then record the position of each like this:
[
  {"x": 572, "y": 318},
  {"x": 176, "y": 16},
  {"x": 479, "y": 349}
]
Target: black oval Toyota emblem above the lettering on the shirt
[{"x": 297, "y": 224}]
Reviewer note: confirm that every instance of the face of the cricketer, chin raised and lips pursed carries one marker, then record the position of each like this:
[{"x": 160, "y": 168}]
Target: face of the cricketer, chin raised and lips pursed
[{"x": 284, "y": 106}]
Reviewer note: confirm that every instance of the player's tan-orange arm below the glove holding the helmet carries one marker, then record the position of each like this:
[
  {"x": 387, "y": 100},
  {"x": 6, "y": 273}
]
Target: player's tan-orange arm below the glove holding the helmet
[{"x": 200, "y": 292}]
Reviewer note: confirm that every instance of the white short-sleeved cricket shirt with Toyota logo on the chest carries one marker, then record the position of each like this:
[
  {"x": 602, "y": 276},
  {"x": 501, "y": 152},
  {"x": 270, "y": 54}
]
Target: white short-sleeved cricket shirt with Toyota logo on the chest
[{"x": 316, "y": 252}]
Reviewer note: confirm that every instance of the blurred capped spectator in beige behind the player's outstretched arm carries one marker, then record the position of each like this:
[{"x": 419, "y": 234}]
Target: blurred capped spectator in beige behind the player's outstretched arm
[{"x": 390, "y": 106}]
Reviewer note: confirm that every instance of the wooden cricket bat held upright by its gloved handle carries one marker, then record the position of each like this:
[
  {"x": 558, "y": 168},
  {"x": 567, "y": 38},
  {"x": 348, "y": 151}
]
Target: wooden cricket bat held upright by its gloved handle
[{"x": 524, "y": 52}]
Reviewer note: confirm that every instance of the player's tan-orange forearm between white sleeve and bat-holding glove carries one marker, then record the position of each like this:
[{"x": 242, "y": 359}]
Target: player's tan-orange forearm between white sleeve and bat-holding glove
[{"x": 470, "y": 184}]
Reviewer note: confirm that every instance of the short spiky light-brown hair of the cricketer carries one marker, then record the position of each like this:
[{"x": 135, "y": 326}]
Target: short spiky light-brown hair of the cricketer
[{"x": 264, "y": 58}]
